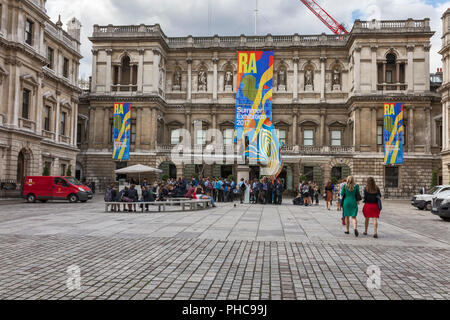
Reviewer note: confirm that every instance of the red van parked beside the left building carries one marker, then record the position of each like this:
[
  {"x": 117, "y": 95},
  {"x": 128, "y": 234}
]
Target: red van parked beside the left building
[{"x": 55, "y": 188}]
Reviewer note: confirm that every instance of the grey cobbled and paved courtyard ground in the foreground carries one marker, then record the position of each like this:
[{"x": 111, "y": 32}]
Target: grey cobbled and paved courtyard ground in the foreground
[{"x": 242, "y": 252}]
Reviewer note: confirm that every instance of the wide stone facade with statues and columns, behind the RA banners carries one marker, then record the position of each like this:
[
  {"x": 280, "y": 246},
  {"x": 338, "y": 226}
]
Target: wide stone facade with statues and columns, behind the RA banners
[{"x": 328, "y": 100}]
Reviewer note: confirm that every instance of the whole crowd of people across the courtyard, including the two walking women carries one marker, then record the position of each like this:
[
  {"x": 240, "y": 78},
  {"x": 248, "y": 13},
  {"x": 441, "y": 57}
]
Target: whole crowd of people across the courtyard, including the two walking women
[{"x": 345, "y": 193}]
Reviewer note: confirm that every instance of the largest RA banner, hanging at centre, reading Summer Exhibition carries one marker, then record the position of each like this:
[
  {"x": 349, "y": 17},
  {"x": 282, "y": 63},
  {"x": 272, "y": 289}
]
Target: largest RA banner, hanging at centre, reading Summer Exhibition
[{"x": 253, "y": 119}]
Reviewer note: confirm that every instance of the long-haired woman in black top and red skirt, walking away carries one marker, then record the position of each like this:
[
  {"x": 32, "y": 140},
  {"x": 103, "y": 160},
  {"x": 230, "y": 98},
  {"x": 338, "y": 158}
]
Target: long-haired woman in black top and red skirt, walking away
[{"x": 371, "y": 207}]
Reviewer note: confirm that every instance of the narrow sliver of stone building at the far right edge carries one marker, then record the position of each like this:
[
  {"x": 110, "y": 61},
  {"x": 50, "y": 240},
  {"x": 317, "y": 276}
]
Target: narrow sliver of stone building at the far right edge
[{"x": 445, "y": 91}]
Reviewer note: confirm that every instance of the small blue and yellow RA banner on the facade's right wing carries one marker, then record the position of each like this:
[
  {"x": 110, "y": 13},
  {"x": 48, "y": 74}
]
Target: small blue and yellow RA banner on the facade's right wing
[{"x": 393, "y": 133}]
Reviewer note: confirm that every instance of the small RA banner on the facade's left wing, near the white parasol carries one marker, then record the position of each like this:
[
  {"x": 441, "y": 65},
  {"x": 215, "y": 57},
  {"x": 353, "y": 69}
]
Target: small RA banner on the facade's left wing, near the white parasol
[{"x": 122, "y": 124}]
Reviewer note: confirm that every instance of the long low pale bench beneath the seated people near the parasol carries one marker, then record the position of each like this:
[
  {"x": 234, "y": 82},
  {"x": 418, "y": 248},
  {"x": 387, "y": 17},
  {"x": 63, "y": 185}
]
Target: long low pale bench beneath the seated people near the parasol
[{"x": 192, "y": 204}]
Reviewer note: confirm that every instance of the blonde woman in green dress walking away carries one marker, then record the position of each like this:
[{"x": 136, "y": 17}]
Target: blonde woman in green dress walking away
[{"x": 349, "y": 203}]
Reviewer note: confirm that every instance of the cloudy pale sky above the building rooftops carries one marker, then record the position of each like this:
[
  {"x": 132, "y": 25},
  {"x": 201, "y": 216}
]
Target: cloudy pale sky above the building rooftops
[{"x": 235, "y": 17}]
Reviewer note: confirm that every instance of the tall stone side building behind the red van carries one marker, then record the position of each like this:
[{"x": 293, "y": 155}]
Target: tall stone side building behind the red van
[{"x": 39, "y": 91}]
